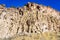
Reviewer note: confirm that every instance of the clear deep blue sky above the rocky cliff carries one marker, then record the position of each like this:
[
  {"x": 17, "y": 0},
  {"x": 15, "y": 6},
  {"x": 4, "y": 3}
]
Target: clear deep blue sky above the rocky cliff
[{"x": 52, "y": 3}]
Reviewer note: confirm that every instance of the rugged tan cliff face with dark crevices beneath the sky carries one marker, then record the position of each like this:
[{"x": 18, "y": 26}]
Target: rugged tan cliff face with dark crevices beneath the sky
[{"x": 32, "y": 18}]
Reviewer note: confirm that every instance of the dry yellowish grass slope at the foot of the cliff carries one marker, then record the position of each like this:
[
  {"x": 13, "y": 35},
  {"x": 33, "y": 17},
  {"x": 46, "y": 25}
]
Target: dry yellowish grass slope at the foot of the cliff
[{"x": 43, "y": 36}]
